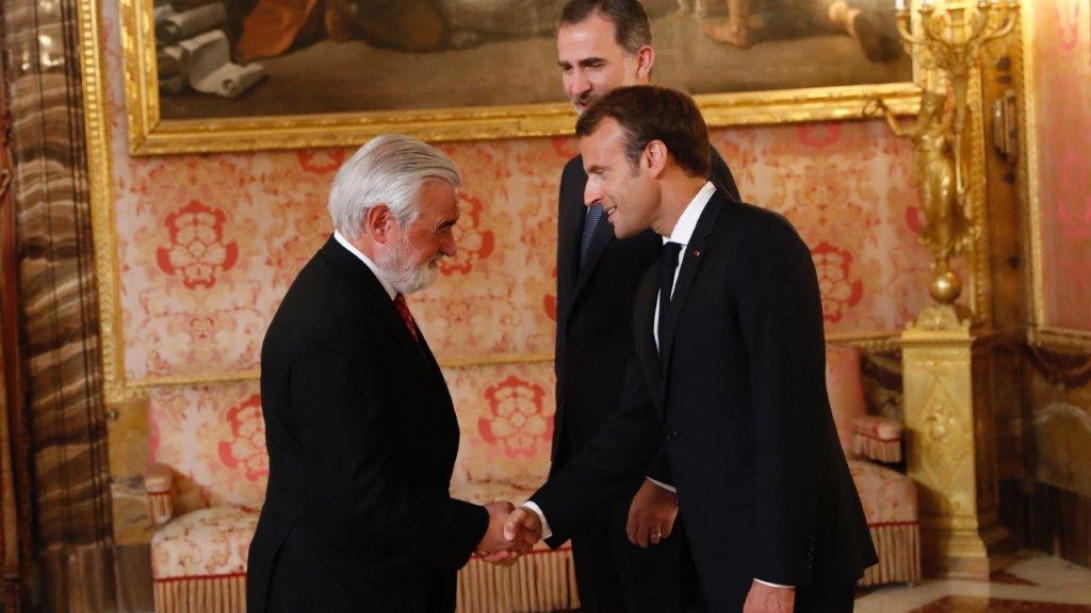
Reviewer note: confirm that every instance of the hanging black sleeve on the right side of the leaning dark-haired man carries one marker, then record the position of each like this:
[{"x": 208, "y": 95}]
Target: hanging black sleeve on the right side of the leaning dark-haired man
[{"x": 782, "y": 321}]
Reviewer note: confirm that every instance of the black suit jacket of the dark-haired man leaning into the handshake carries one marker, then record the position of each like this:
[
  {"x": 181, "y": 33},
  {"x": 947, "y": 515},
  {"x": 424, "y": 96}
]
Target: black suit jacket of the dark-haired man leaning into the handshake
[{"x": 741, "y": 405}]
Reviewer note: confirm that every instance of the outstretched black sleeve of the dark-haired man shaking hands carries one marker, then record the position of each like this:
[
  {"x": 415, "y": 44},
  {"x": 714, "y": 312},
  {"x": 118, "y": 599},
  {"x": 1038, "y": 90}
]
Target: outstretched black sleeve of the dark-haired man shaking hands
[{"x": 625, "y": 447}]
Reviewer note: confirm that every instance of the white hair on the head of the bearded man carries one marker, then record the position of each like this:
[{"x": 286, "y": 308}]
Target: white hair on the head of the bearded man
[{"x": 390, "y": 171}]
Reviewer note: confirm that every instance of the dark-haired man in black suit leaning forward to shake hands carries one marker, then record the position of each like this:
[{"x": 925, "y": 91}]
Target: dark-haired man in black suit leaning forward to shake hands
[{"x": 729, "y": 374}]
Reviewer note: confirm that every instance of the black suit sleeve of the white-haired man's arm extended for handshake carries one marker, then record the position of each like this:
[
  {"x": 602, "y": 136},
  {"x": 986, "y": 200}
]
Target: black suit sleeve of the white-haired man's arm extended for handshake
[{"x": 354, "y": 480}]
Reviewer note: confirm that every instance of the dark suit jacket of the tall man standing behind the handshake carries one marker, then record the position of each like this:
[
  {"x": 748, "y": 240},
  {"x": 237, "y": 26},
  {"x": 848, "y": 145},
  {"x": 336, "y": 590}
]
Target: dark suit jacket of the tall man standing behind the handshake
[{"x": 595, "y": 312}]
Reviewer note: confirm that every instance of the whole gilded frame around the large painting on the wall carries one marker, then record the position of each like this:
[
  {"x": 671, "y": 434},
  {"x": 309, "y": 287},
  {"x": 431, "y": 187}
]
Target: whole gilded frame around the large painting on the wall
[{"x": 153, "y": 133}]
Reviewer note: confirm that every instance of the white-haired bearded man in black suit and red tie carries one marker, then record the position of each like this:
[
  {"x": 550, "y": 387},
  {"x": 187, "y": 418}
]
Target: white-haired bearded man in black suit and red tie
[{"x": 361, "y": 428}]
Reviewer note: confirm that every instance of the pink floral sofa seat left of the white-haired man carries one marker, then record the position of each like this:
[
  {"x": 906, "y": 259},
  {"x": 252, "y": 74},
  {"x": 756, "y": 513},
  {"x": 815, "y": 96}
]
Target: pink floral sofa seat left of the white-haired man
[{"x": 211, "y": 543}]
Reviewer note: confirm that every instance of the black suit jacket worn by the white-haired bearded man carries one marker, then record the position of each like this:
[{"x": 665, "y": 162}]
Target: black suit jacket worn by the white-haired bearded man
[{"x": 362, "y": 437}]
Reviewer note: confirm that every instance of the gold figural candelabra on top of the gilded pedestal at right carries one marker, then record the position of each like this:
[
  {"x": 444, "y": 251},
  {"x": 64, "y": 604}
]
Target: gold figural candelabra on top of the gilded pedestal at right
[{"x": 952, "y": 40}]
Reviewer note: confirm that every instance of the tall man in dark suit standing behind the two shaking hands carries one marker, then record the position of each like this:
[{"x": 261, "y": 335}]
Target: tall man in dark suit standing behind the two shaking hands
[{"x": 604, "y": 45}]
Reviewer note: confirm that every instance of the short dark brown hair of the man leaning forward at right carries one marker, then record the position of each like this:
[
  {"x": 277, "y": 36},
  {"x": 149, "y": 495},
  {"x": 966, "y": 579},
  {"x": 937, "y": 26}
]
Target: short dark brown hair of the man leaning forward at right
[{"x": 649, "y": 114}]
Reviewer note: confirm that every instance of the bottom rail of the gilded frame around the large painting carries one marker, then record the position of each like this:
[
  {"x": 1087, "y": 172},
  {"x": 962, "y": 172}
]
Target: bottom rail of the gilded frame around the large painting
[{"x": 149, "y": 136}]
